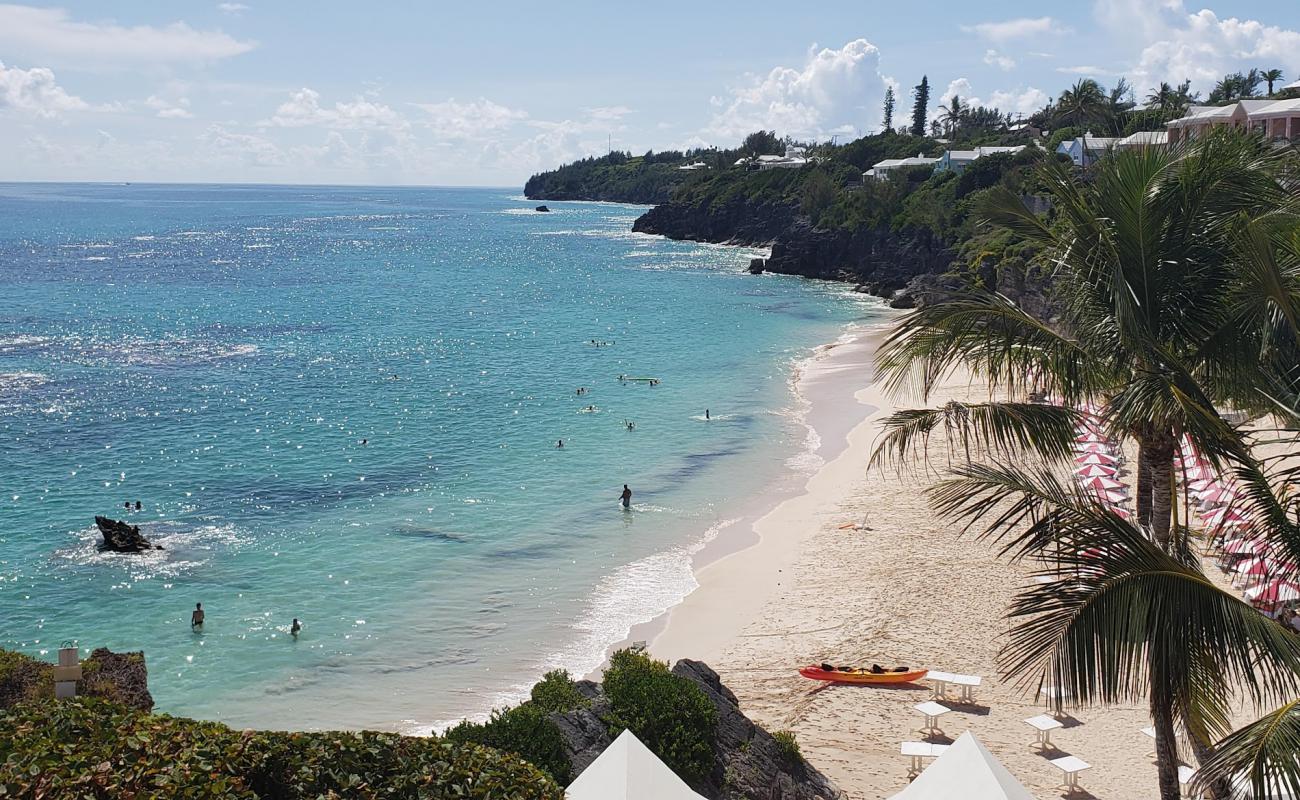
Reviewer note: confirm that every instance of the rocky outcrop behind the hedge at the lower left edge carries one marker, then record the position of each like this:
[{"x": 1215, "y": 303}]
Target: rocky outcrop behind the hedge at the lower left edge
[{"x": 119, "y": 677}]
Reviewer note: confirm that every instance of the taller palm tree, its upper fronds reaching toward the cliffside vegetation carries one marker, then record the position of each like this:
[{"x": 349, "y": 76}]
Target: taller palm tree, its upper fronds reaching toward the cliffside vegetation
[{"x": 1172, "y": 301}]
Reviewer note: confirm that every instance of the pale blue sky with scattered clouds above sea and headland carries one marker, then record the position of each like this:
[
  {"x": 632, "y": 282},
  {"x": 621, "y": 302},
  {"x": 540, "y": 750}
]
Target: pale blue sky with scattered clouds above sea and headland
[{"x": 487, "y": 94}]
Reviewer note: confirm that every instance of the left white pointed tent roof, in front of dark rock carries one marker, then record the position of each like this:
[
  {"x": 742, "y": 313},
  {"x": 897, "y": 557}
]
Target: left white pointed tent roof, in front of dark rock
[{"x": 629, "y": 771}]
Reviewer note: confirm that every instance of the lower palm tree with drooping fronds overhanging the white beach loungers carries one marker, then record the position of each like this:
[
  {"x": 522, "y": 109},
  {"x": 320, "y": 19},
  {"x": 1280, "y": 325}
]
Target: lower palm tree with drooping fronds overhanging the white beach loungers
[{"x": 1121, "y": 620}]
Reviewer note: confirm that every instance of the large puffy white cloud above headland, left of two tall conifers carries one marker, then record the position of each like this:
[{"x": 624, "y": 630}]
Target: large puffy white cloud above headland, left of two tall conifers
[{"x": 834, "y": 90}]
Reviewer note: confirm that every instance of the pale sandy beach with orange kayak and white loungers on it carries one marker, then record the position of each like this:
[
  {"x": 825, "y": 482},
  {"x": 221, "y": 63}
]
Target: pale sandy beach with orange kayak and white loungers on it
[{"x": 907, "y": 591}]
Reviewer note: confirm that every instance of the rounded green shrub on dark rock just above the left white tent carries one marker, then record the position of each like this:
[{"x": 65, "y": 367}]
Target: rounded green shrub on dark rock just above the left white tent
[{"x": 669, "y": 713}]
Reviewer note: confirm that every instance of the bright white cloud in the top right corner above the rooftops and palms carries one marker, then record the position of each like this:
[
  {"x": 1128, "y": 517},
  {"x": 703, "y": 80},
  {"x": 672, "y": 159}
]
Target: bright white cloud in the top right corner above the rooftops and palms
[{"x": 1175, "y": 45}]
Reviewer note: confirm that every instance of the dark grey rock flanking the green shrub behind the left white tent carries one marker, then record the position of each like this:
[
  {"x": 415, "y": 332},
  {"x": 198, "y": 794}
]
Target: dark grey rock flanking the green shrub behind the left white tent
[{"x": 749, "y": 764}]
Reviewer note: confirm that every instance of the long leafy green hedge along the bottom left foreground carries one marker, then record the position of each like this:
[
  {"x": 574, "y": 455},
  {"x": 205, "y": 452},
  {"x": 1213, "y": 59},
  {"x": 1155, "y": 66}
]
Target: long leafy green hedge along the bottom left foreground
[{"x": 94, "y": 749}]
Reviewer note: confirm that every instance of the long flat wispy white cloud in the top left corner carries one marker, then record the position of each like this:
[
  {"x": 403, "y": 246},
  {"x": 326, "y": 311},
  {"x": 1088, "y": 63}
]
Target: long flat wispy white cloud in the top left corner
[{"x": 54, "y": 37}]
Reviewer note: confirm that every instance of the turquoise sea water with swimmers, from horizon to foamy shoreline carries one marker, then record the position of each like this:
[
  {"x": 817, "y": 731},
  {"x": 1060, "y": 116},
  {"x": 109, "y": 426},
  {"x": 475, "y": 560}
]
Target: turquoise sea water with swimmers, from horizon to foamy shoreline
[{"x": 343, "y": 405}]
